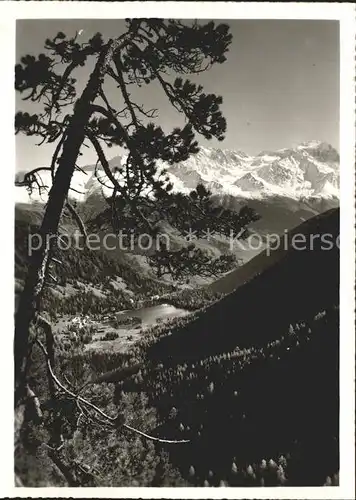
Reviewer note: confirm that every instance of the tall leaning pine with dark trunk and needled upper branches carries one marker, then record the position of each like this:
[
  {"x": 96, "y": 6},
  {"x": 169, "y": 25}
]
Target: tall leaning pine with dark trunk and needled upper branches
[{"x": 147, "y": 51}]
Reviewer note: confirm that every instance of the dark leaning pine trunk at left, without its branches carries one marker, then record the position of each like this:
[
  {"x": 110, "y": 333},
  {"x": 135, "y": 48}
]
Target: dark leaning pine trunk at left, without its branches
[{"x": 75, "y": 135}]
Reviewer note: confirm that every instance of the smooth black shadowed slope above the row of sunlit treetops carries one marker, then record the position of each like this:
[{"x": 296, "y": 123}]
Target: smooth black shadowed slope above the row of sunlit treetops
[{"x": 288, "y": 286}]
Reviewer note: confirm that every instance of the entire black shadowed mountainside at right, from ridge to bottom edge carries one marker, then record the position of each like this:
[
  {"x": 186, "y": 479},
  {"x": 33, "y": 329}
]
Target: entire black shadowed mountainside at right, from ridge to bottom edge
[{"x": 253, "y": 381}]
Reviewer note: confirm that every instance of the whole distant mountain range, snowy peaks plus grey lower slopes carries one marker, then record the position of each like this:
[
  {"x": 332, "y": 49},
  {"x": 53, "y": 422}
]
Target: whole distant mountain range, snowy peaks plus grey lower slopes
[{"x": 285, "y": 187}]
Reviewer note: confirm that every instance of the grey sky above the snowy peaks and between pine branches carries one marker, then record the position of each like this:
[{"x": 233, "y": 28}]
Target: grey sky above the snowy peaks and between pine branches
[{"x": 280, "y": 84}]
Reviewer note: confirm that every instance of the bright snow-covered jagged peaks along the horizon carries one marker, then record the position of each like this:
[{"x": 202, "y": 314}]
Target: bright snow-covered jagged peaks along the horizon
[{"x": 310, "y": 169}]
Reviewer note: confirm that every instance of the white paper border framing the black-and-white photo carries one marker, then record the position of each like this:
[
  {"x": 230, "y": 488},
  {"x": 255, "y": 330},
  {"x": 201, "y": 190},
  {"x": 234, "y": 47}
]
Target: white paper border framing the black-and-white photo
[{"x": 345, "y": 14}]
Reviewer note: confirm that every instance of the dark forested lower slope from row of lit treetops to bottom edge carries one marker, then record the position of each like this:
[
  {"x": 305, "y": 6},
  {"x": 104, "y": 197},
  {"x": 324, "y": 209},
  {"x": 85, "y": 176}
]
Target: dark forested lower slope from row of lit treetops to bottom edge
[{"x": 262, "y": 415}]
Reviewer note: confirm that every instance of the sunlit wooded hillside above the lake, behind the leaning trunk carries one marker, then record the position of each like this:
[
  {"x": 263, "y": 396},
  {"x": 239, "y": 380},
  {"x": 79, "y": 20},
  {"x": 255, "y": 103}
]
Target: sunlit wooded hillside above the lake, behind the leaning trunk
[{"x": 86, "y": 281}]
